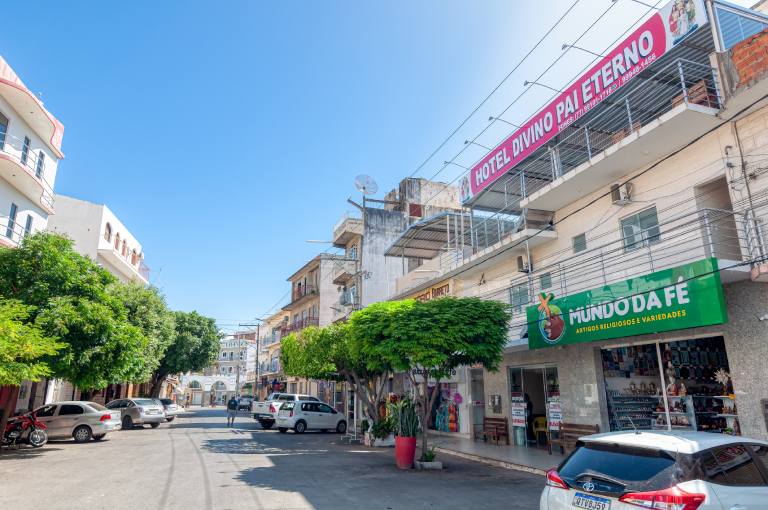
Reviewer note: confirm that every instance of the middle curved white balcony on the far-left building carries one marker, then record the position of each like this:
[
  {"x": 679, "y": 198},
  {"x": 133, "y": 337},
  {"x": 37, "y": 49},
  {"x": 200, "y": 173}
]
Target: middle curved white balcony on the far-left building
[{"x": 23, "y": 170}]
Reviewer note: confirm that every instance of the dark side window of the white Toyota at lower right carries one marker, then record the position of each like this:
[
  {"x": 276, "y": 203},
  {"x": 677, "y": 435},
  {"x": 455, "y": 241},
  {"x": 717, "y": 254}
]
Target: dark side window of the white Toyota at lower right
[{"x": 732, "y": 465}]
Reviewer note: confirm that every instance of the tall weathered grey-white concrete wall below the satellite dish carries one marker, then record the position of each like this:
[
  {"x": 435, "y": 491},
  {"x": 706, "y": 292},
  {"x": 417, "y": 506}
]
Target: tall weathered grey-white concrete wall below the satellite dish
[{"x": 379, "y": 273}]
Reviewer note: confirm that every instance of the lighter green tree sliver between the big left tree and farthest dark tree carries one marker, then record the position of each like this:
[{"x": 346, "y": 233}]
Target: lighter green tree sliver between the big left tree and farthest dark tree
[{"x": 147, "y": 310}]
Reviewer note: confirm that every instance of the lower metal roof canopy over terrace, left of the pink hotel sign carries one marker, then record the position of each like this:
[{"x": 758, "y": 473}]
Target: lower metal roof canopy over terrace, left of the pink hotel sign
[{"x": 432, "y": 236}]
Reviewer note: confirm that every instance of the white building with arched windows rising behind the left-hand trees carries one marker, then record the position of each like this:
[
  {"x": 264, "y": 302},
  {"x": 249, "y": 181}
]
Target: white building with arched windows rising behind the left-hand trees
[{"x": 100, "y": 235}]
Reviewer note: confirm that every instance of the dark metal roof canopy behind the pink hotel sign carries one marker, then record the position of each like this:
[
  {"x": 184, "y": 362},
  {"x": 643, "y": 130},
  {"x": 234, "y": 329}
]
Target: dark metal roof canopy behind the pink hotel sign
[{"x": 696, "y": 48}]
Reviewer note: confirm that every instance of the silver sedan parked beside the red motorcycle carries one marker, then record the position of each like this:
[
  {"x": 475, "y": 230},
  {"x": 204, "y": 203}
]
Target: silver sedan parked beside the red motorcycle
[{"x": 79, "y": 420}]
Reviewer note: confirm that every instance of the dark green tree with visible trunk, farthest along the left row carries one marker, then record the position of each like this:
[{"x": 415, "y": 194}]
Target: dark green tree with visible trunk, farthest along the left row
[{"x": 195, "y": 347}]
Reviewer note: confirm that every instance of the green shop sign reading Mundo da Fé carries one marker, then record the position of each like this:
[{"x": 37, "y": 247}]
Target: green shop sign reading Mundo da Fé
[{"x": 682, "y": 297}]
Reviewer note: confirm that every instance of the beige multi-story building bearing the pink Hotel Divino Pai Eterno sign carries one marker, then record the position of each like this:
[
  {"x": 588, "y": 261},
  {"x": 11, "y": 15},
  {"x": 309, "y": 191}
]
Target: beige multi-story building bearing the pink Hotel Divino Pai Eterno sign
[{"x": 624, "y": 224}]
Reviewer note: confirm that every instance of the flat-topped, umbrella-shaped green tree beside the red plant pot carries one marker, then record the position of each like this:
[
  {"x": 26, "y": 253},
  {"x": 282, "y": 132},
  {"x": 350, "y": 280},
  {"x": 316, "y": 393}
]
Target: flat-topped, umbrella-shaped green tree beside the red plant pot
[{"x": 428, "y": 340}]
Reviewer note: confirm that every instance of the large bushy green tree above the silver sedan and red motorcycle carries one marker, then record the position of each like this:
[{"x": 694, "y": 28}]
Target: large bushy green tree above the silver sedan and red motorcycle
[{"x": 72, "y": 302}]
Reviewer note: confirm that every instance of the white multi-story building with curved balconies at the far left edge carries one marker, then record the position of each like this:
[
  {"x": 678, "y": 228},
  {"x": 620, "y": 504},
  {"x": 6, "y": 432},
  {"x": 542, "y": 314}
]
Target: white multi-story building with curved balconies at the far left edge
[{"x": 30, "y": 150}]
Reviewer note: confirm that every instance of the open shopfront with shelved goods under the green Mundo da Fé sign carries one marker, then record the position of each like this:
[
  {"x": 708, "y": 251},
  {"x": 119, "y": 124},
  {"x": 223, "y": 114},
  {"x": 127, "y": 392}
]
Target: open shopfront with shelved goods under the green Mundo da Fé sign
[{"x": 679, "y": 385}]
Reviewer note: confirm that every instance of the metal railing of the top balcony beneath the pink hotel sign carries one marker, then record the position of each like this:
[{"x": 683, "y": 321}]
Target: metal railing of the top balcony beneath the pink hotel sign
[{"x": 680, "y": 82}]
